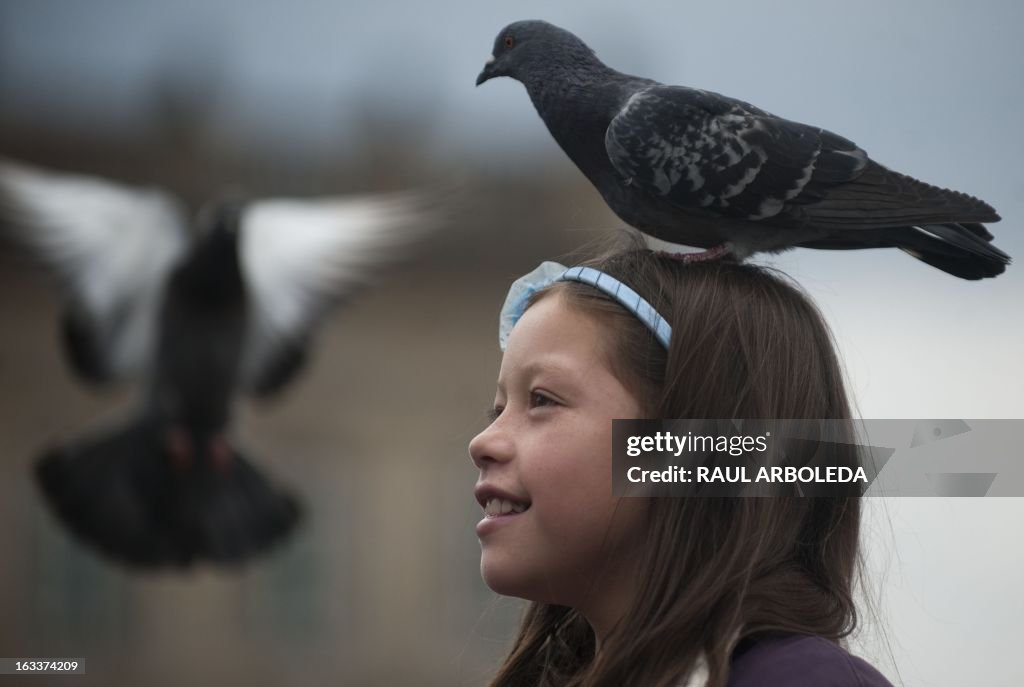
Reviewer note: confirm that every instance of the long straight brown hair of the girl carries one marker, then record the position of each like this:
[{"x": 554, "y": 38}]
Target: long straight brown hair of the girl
[{"x": 746, "y": 343}]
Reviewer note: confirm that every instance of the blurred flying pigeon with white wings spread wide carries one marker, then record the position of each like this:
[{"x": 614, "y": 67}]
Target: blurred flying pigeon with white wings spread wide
[{"x": 198, "y": 318}]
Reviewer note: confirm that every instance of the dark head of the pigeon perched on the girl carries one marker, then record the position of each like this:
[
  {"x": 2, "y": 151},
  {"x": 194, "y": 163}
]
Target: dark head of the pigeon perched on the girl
[{"x": 525, "y": 49}]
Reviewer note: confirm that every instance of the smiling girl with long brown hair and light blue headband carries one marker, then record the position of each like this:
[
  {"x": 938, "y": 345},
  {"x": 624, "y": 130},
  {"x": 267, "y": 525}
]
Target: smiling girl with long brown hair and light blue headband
[{"x": 672, "y": 591}]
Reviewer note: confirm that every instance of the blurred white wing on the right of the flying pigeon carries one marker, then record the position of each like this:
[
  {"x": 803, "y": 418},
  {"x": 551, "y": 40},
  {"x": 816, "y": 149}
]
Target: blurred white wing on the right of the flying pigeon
[{"x": 301, "y": 257}]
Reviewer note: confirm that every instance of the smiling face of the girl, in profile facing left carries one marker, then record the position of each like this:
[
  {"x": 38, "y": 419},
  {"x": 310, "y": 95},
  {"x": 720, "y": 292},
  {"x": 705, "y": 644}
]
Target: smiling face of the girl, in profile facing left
[{"x": 552, "y": 531}]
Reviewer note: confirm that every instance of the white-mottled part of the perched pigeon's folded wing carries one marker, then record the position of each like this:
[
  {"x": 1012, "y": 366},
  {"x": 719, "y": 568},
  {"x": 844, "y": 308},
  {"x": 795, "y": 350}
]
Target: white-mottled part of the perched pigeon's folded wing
[{"x": 699, "y": 150}]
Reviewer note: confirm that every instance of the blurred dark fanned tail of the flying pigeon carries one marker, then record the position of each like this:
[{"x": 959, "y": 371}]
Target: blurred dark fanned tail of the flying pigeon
[{"x": 122, "y": 493}]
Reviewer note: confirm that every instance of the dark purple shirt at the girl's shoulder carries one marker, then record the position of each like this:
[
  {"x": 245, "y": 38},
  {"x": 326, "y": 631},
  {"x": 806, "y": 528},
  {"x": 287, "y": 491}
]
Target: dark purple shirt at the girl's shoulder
[{"x": 799, "y": 661}]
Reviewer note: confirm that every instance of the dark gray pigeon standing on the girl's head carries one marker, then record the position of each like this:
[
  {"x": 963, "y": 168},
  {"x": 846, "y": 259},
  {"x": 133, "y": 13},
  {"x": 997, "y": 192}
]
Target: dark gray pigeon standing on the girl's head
[{"x": 698, "y": 168}]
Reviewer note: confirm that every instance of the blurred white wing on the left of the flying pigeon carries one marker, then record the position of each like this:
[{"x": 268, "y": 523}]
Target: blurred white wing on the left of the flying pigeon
[{"x": 111, "y": 246}]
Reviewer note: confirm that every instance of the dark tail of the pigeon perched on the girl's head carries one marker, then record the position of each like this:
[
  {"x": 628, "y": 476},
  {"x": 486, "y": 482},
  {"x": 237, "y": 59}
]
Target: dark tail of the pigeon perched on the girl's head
[{"x": 956, "y": 249}]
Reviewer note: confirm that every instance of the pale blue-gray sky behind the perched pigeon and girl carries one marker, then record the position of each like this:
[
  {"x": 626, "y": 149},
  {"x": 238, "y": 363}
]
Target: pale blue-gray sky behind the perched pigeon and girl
[{"x": 929, "y": 89}]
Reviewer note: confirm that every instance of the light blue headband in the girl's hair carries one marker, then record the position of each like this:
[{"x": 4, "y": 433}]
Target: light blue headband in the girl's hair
[{"x": 549, "y": 273}]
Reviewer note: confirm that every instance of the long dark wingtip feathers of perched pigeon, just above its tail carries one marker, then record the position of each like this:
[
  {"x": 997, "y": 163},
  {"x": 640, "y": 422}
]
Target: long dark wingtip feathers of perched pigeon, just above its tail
[{"x": 881, "y": 198}]
